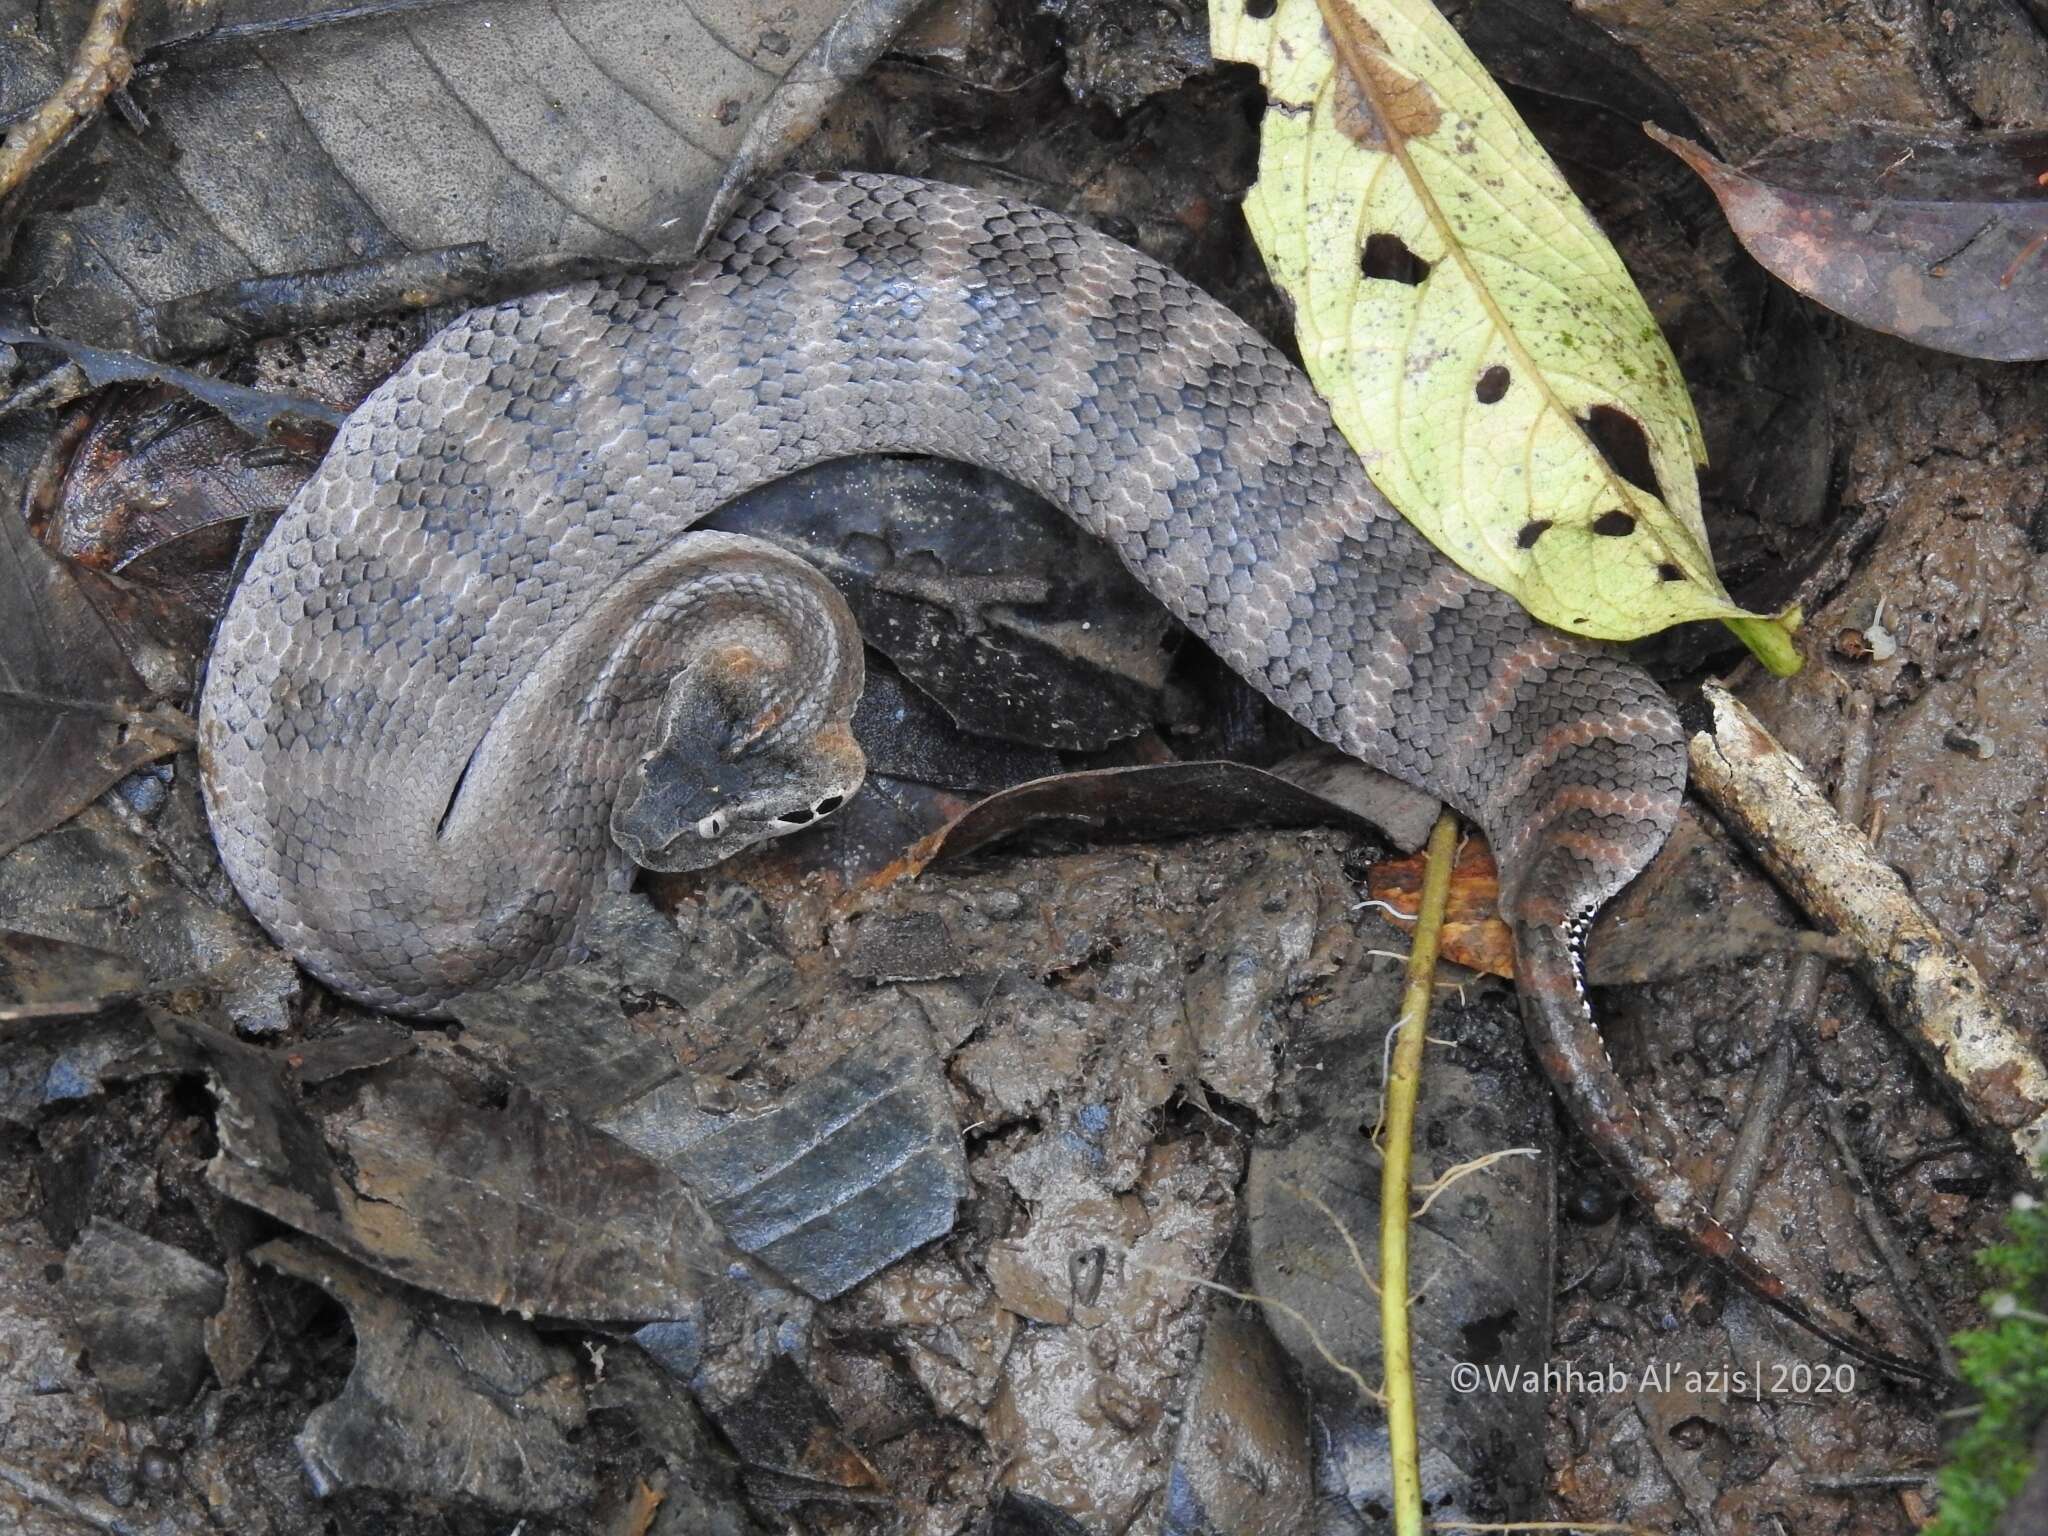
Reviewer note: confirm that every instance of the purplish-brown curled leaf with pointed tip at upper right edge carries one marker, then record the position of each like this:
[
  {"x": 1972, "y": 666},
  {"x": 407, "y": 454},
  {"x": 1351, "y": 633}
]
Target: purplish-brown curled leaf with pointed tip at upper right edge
[{"x": 1934, "y": 239}]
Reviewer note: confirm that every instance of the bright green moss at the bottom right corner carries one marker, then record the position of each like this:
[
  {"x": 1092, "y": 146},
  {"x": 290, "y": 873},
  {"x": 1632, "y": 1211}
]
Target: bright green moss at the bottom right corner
[{"x": 2008, "y": 1365}]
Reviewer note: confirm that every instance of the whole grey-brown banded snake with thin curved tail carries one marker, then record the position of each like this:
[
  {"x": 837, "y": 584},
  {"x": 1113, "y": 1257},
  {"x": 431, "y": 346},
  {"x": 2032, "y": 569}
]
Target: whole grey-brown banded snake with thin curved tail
[{"x": 484, "y": 669}]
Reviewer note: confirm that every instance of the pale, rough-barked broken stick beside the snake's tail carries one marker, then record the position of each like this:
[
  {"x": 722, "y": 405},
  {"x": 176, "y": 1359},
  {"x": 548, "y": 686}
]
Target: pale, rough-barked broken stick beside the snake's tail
[{"x": 1926, "y": 986}]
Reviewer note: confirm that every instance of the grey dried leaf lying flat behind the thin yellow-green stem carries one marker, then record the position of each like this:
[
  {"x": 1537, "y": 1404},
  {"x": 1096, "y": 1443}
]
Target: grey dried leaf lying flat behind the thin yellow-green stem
[{"x": 1482, "y": 1252}]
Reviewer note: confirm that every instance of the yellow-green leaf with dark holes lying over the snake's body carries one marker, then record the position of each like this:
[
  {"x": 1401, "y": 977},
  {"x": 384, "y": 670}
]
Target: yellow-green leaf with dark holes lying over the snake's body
[{"x": 1476, "y": 335}]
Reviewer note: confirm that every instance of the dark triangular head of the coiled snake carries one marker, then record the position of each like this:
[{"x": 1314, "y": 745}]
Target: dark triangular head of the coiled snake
[{"x": 724, "y": 777}]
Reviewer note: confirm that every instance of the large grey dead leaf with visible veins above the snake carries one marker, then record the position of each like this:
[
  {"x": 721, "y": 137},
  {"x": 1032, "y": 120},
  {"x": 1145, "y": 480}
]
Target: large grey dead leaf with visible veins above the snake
[{"x": 544, "y": 128}]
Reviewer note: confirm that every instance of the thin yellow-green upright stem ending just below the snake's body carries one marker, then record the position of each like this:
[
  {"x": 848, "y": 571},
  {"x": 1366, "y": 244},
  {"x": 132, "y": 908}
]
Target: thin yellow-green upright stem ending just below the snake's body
[{"x": 1404, "y": 1084}]
